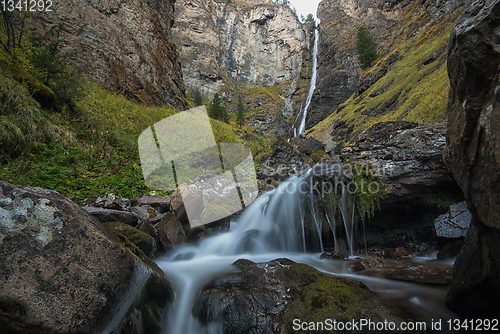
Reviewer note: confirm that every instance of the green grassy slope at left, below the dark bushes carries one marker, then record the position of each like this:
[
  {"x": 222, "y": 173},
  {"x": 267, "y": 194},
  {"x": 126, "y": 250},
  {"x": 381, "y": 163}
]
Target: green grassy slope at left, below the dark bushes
[{"x": 91, "y": 152}]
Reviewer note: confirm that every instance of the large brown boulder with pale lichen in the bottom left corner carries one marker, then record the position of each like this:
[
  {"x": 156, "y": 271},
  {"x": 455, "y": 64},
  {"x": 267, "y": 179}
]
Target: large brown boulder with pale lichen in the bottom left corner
[{"x": 62, "y": 271}]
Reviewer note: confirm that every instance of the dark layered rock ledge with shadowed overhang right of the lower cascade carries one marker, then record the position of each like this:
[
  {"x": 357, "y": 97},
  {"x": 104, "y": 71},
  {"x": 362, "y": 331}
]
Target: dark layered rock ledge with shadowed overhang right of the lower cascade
[{"x": 407, "y": 159}]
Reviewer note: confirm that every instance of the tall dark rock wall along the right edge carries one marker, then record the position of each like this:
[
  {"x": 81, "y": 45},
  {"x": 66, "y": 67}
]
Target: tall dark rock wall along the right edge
[{"x": 473, "y": 155}]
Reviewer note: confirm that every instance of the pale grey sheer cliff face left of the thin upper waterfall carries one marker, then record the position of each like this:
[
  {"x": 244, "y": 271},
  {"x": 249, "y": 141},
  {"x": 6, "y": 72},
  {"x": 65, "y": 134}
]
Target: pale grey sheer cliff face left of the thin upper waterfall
[{"x": 237, "y": 45}]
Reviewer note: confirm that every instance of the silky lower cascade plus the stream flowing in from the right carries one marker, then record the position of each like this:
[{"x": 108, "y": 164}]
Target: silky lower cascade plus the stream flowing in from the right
[{"x": 280, "y": 223}]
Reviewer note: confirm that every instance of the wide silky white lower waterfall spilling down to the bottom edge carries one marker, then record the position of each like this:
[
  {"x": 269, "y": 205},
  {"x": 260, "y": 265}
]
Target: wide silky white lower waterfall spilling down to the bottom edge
[{"x": 284, "y": 222}]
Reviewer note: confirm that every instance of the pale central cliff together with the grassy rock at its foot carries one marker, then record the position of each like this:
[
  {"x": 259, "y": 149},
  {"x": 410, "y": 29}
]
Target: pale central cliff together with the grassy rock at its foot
[{"x": 252, "y": 50}]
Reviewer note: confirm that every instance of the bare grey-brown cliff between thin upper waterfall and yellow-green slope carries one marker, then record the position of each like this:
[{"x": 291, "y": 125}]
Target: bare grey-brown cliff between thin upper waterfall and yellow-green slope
[{"x": 338, "y": 69}]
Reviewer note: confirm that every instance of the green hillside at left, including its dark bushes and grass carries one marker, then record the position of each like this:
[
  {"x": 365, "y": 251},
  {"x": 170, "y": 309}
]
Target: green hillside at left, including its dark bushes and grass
[{"x": 79, "y": 142}]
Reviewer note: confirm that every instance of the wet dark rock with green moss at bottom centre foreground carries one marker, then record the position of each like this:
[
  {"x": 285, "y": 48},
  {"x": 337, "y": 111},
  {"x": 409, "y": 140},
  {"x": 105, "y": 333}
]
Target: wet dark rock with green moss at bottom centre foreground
[{"x": 267, "y": 297}]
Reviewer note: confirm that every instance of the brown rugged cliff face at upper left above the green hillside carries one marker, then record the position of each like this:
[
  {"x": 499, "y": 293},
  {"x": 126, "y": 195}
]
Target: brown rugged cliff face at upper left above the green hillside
[{"x": 125, "y": 45}]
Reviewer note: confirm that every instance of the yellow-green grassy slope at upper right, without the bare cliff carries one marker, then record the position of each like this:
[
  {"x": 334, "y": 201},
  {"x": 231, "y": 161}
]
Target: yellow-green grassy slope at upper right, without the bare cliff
[{"x": 420, "y": 92}]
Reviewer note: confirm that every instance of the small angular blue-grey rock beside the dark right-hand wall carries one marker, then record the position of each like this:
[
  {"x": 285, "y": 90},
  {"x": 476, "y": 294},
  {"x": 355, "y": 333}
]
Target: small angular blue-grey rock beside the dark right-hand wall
[{"x": 455, "y": 223}]
